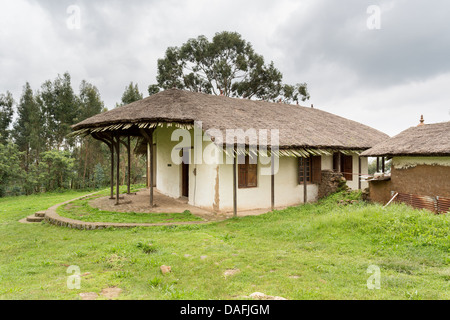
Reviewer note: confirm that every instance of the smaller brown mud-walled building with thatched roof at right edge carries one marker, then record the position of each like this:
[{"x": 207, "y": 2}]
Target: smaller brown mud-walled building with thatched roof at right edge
[{"x": 420, "y": 170}]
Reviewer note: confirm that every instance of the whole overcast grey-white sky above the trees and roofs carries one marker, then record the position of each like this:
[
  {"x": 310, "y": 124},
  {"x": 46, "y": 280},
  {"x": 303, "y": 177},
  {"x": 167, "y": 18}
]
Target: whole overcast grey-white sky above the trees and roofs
[{"x": 381, "y": 70}]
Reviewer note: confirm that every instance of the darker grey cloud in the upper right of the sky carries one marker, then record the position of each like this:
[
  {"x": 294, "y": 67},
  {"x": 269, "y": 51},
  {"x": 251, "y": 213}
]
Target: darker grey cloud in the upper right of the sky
[{"x": 413, "y": 42}]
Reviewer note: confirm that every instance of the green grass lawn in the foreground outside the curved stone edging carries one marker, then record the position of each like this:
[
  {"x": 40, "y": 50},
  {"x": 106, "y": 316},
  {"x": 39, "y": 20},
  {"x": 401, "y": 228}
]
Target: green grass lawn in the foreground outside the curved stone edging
[{"x": 318, "y": 251}]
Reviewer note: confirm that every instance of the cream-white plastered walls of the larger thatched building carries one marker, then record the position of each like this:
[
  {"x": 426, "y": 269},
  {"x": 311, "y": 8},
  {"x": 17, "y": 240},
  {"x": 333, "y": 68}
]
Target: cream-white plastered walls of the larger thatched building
[{"x": 214, "y": 168}]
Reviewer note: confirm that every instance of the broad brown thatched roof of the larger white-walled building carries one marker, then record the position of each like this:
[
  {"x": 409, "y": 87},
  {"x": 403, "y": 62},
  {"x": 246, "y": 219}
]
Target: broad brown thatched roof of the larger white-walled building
[{"x": 299, "y": 127}]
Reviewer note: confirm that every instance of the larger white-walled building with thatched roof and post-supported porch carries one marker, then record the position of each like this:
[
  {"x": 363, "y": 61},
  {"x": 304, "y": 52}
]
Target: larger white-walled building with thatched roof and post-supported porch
[{"x": 226, "y": 154}]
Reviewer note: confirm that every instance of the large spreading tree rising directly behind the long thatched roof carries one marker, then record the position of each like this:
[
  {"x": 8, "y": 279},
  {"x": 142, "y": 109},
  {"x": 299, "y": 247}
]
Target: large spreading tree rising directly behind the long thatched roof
[{"x": 227, "y": 65}]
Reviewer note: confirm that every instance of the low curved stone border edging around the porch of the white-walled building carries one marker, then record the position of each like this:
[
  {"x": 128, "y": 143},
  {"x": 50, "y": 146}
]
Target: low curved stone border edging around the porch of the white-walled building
[{"x": 54, "y": 218}]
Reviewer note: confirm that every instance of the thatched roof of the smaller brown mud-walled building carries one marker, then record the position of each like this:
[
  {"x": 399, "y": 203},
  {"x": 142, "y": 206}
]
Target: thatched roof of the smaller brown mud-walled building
[{"x": 424, "y": 140}]
